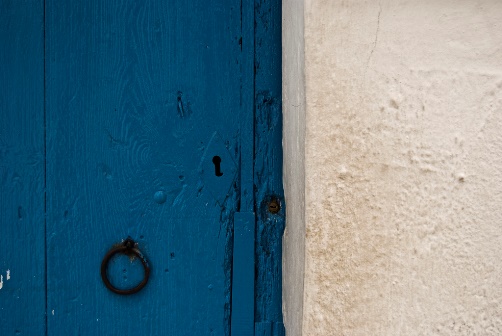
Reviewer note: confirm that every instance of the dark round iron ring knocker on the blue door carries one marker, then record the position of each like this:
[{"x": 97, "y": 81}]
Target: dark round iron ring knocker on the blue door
[{"x": 129, "y": 248}]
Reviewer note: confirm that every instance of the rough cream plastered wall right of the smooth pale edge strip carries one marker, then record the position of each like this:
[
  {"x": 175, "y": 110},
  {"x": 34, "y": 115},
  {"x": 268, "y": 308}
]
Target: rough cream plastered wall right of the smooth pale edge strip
[{"x": 403, "y": 167}]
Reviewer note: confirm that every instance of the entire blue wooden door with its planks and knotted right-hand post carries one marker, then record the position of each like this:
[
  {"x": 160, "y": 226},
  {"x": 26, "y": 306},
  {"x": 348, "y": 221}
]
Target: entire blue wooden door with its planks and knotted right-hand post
[{"x": 138, "y": 121}]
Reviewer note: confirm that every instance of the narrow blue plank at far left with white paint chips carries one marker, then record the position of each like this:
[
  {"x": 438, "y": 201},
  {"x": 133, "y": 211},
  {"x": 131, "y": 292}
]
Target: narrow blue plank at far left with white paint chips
[{"x": 22, "y": 276}]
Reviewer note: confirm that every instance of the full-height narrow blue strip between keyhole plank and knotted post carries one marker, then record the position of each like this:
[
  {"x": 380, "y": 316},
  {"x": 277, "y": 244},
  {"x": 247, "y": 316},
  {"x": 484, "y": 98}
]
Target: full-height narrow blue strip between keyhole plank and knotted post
[{"x": 243, "y": 273}]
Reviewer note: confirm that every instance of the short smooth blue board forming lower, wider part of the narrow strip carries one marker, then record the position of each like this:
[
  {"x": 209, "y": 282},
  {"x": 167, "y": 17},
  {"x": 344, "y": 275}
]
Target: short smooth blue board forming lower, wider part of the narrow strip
[{"x": 243, "y": 275}]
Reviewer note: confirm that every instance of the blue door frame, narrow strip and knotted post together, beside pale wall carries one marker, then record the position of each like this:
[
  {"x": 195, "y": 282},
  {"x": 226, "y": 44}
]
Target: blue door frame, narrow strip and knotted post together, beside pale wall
[{"x": 266, "y": 188}]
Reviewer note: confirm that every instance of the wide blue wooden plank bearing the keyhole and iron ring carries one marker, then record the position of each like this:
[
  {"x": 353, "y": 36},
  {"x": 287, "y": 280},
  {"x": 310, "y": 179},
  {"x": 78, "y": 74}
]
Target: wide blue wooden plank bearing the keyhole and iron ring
[{"x": 141, "y": 96}]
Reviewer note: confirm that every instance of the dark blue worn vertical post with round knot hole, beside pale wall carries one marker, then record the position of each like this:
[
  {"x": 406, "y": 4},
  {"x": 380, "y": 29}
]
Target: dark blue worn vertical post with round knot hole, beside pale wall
[{"x": 268, "y": 166}]
